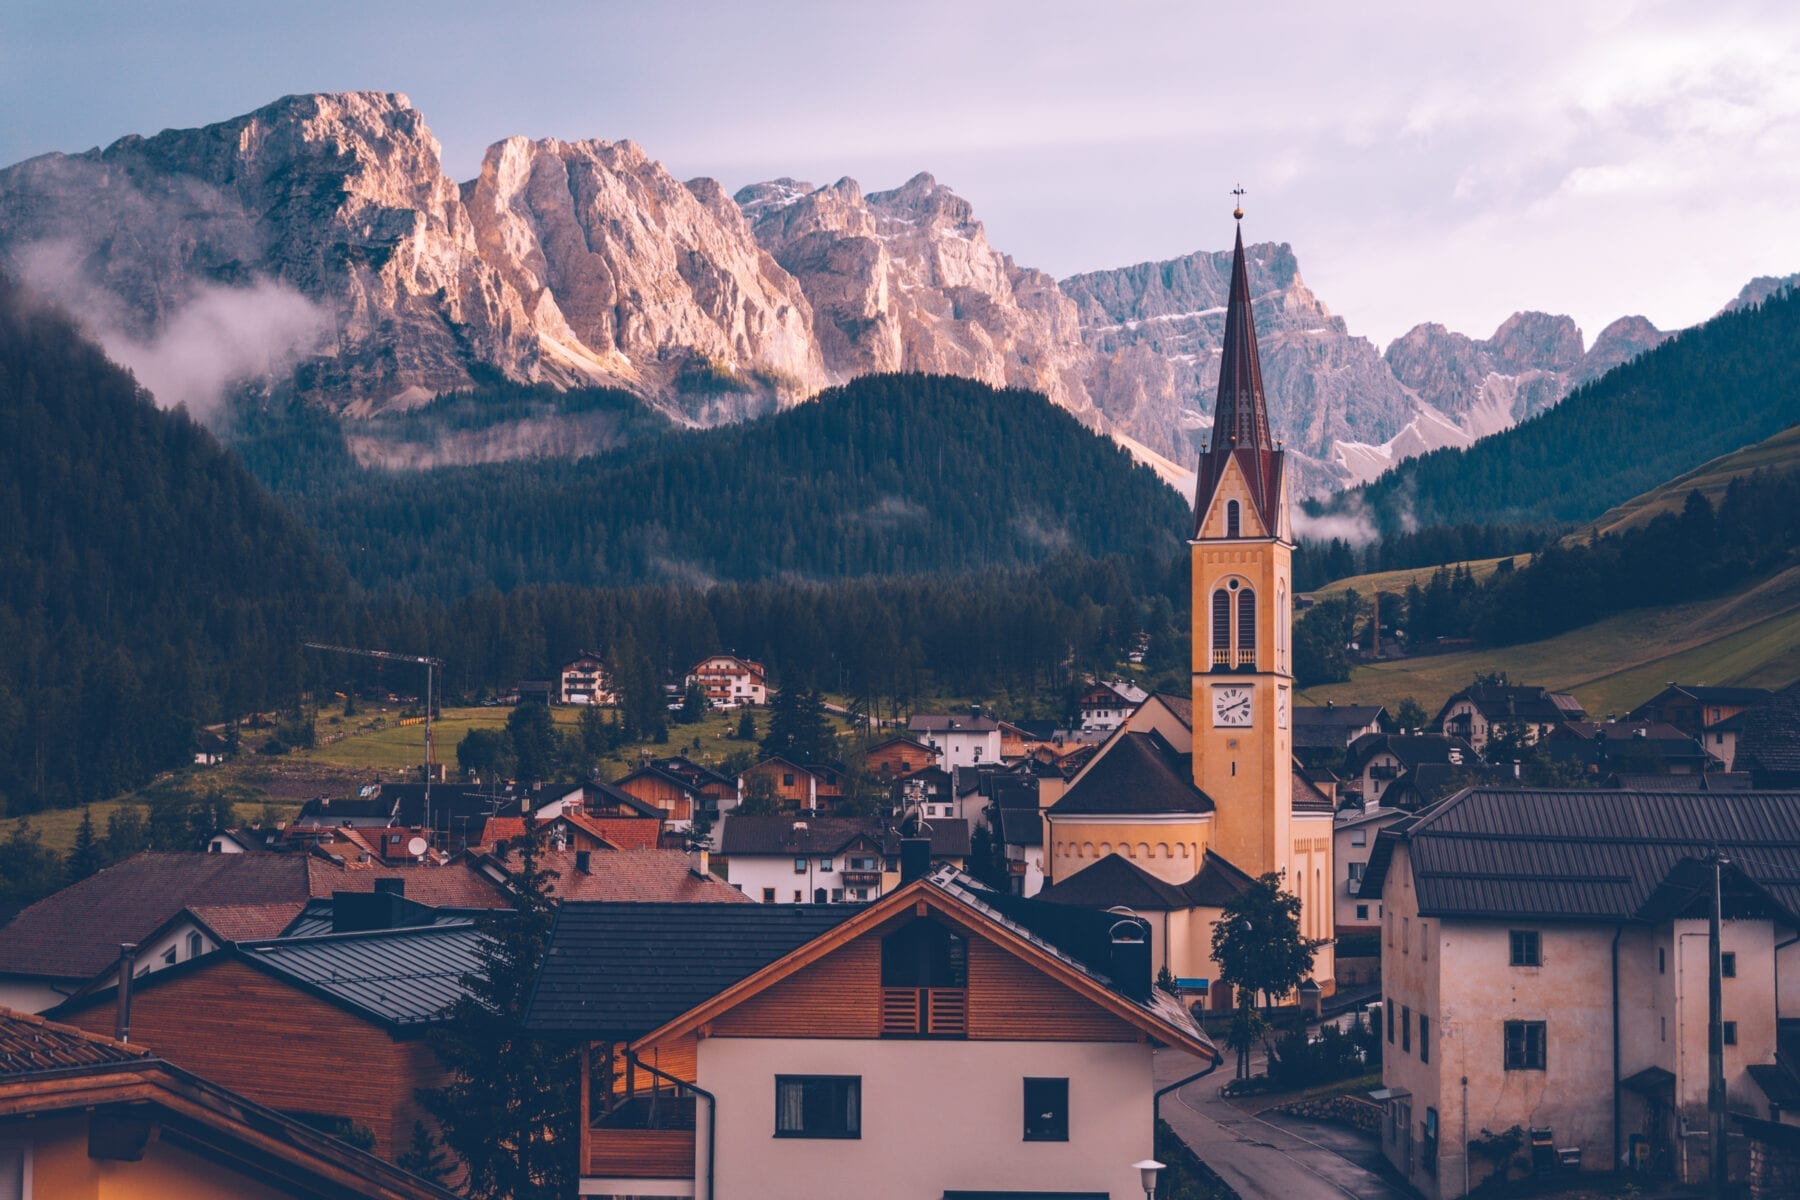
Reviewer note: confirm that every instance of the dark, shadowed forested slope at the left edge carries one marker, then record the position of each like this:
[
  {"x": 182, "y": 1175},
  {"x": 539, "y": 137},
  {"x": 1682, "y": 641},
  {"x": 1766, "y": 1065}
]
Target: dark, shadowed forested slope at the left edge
[{"x": 147, "y": 580}]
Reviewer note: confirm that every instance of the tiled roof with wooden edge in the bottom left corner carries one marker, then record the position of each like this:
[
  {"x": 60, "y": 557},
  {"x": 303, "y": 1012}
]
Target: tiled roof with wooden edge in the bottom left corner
[{"x": 249, "y": 1140}]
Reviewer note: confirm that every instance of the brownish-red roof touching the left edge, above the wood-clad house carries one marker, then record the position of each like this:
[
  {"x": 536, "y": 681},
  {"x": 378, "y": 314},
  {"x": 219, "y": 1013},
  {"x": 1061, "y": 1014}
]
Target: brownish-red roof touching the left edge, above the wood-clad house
[{"x": 75, "y": 933}]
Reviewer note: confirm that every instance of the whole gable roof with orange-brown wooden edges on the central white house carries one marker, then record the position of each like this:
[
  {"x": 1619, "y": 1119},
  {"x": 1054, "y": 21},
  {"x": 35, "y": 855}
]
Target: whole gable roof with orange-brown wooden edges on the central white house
[{"x": 1054, "y": 938}]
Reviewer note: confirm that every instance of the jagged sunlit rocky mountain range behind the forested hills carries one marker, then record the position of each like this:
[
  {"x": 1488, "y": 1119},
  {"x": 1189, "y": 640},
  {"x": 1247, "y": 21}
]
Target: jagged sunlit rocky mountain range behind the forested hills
[{"x": 589, "y": 264}]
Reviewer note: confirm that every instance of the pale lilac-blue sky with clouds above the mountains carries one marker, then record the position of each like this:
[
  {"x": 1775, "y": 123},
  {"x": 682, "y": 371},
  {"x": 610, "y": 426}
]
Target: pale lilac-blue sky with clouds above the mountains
[{"x": 1437, "y": 161}]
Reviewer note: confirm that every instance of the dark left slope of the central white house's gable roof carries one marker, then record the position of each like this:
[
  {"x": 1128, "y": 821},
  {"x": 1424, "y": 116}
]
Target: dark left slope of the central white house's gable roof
[{"x": 622, "y": 971}]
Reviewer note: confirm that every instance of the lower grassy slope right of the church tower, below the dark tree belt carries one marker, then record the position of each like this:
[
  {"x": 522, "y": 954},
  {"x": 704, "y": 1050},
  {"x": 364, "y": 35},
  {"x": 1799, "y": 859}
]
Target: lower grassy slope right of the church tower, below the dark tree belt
[{"x": 1747, "y": 638}]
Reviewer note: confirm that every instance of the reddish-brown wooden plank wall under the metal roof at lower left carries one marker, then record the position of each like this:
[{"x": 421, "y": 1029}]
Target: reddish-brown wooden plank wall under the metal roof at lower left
[{"x": 282, "y": 1048}]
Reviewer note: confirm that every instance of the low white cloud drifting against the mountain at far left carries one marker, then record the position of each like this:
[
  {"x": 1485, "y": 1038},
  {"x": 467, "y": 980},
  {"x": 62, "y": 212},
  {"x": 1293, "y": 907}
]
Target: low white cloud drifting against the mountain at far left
[{"x": 217, "y": 339}]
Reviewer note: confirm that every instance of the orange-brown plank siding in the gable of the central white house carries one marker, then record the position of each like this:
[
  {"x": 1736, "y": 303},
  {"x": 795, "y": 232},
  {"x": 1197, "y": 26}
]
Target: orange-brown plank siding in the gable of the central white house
[{"x": 841, "y": 998}]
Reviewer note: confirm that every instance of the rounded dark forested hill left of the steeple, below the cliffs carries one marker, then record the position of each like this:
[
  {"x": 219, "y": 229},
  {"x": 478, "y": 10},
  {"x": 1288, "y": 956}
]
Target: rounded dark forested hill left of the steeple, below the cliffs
[{"x": 885, "y": 476}]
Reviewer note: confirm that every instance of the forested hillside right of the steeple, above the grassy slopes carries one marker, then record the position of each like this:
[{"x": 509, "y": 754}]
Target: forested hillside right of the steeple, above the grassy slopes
[{"x": 1707, "y": 391}]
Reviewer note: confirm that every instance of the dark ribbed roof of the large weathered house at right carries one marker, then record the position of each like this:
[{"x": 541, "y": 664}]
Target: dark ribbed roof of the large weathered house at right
[{"x": 1585, "y": 855}]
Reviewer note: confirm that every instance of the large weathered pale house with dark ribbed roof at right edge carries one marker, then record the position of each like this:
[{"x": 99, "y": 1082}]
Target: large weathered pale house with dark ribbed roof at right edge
[{"x": 1545, "y": 963}]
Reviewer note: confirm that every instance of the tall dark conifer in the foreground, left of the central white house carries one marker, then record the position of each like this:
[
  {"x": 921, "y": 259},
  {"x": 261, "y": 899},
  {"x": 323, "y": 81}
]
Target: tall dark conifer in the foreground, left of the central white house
[{"x": 512, "y": 1106}]
